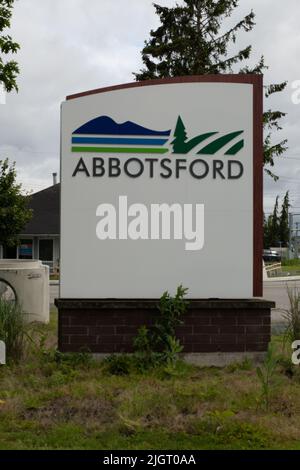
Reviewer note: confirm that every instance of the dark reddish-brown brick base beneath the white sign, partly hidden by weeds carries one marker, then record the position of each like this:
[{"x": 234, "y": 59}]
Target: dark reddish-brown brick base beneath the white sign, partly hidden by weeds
[{"x": 109, "y": 325}]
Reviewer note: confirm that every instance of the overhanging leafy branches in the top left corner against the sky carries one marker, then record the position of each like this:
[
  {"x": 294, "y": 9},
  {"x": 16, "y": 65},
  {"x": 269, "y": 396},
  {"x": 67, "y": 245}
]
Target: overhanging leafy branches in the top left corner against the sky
[{"x": 8, "y": 69}]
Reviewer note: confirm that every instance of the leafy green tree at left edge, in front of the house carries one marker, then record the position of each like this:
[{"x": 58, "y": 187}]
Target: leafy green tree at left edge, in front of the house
[{"x": 14, "y": 211}]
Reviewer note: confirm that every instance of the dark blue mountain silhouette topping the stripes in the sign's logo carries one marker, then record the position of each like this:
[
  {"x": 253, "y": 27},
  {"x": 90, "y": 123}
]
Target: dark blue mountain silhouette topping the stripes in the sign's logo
[{"x": 106, "y": 125}]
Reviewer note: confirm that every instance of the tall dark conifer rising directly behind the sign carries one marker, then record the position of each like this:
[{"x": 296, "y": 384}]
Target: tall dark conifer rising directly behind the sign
[{"x": 189, "y": 41}]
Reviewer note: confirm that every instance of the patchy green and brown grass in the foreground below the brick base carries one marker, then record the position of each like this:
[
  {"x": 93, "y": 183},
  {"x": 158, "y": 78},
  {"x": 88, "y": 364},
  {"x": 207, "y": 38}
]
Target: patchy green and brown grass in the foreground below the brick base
[{"x": 54, "y": 401}]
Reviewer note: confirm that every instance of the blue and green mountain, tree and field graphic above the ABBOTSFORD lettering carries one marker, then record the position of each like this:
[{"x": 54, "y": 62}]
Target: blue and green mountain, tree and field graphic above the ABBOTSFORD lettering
[{"x": 104, "y": 135}]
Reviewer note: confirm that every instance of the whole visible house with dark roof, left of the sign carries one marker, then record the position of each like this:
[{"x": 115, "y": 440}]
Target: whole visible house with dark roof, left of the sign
[{"x": 41, "y": 237}]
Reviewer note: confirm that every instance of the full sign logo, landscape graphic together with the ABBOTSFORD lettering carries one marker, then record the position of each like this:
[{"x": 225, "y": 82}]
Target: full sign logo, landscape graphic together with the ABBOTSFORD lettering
[{"x": 165, "y": 153}]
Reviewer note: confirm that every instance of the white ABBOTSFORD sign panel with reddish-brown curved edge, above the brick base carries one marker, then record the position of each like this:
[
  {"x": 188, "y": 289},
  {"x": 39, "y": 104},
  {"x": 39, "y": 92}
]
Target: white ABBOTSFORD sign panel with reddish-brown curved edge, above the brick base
[{"x": 161, "y": 186}]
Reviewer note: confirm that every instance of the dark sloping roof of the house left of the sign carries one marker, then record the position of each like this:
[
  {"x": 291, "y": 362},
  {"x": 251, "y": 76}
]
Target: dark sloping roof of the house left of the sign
[{"x": 46, "y": 208}]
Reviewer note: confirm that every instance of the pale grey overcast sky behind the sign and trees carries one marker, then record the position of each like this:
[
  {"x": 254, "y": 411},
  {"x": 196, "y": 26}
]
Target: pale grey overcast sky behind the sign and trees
[{"x": 75, "y": 45}]
